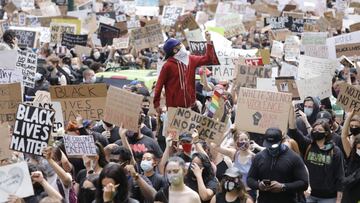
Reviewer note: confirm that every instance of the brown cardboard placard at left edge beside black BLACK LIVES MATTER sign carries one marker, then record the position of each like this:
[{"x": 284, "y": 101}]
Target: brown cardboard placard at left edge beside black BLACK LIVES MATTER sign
[{"x": 10, "y": 97}]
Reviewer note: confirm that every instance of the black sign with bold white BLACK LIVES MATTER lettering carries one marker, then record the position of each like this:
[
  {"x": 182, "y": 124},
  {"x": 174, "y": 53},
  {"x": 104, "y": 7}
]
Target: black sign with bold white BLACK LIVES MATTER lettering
[{"x": 32, "y": 129}]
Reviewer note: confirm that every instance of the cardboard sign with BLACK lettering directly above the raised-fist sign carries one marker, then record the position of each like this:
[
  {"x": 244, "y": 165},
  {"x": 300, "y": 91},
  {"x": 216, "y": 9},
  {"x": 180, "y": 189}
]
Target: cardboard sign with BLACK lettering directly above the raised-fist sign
[{"x": 247, "y": 75}]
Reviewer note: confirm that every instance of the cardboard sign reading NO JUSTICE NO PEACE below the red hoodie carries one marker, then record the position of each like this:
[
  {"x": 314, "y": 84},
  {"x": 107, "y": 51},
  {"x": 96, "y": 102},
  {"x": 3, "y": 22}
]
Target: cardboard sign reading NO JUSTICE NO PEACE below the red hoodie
[{"x": 186, "y": 120}]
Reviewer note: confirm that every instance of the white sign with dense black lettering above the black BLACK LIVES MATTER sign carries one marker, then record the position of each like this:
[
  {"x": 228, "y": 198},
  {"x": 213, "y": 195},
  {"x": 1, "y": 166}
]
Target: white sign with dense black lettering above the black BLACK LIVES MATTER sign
[{"x": 27, "y": 62}]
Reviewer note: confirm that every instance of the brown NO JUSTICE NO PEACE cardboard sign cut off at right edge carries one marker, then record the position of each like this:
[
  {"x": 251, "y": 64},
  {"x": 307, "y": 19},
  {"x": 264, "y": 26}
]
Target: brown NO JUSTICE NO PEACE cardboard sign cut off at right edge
[{"x": 348, "y": 98}]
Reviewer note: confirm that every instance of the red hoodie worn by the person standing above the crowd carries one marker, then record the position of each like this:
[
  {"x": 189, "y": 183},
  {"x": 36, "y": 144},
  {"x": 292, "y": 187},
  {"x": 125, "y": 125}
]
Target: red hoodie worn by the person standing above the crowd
[{"x": 179, "y": 79}]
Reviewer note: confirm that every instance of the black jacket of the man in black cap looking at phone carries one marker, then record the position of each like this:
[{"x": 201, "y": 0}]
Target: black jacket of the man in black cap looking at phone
[{"x": 288, "y": 168}]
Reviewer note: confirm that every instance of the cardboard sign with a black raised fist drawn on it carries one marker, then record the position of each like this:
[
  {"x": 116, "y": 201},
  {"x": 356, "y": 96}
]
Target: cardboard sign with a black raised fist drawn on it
[{"x": 259, "y": 110}]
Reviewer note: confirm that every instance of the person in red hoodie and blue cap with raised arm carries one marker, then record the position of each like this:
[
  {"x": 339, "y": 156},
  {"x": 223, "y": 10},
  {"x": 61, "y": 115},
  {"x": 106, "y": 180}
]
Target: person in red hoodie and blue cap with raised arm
[{"x": 178, "y": 74}]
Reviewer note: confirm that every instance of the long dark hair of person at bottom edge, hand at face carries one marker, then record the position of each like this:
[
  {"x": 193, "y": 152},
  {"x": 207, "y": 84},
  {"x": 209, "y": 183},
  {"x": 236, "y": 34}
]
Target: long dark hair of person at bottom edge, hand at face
[{"x": 117, "y": 173}]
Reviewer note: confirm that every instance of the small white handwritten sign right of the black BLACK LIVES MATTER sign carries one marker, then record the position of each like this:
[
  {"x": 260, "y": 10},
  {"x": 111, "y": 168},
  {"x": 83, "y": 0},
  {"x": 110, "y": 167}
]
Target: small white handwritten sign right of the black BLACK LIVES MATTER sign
[{"x": 79, "y": 145}]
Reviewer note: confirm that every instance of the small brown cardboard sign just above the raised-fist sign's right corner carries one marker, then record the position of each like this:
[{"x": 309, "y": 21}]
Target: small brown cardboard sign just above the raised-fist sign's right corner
[{"x": 287, "y": 85}]
